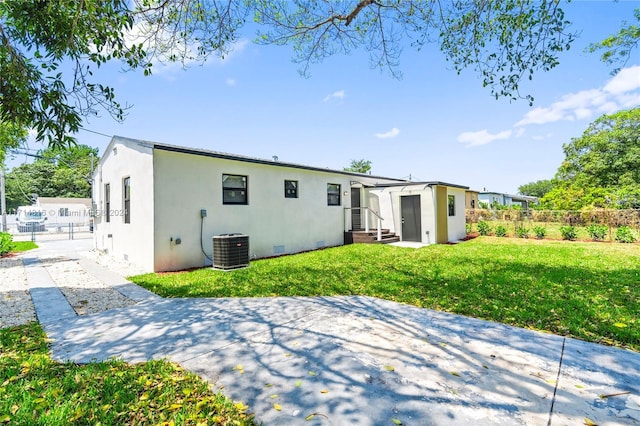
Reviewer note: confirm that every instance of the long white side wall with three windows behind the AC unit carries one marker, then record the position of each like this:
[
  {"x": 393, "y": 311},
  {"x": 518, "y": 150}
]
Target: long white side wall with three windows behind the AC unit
[{"x": 186, "y": 183}]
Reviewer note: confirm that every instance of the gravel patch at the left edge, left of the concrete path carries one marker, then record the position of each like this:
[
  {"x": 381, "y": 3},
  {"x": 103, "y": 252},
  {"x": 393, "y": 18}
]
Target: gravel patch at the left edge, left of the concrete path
[{"x": 16, "y": 307}]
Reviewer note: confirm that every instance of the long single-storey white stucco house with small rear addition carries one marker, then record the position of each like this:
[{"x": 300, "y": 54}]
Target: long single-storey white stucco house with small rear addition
[{"x": 159, "y": 205}]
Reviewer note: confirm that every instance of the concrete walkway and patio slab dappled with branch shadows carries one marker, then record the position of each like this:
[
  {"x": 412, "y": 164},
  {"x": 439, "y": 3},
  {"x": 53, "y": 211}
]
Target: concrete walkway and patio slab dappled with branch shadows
[{"x": 351, "y": 360}]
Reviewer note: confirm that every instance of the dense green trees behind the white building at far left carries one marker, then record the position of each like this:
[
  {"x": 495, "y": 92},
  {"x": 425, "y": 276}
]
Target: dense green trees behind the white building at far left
[{"x": 56, "y": 172}]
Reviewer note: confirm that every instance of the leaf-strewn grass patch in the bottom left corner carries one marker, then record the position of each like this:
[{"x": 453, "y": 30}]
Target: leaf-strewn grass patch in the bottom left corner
[{"x": 35, "y": 390}]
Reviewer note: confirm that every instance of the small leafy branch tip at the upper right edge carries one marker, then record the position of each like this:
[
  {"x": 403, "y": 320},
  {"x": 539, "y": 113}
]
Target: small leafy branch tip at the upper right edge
[{"x": 617, "y": 48}]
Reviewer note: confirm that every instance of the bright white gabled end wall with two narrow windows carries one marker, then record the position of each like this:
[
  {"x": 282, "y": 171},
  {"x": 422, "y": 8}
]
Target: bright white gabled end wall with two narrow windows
[{"x": 129, "y": 241}]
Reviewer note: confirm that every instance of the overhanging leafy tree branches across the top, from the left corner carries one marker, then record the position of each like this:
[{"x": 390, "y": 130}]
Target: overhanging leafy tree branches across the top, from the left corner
[{"x": 49, "y": 49}]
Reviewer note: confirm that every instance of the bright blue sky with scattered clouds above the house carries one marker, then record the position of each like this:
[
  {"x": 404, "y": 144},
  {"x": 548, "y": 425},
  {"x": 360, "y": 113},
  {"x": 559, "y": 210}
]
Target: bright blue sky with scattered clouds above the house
[{"x": 430, "y": 125}]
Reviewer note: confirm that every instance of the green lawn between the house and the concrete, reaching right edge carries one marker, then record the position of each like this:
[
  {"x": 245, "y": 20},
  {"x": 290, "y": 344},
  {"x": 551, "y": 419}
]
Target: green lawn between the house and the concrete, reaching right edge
[{"x": 590, "y": 291}]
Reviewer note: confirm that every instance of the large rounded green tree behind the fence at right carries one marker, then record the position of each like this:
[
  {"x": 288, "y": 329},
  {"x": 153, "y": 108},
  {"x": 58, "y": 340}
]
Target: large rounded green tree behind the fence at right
[{"x": 602, "y": 167}]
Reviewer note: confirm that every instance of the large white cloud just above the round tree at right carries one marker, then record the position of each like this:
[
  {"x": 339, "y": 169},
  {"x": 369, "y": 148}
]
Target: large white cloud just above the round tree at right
[{"x": 621, "y": 91}]
